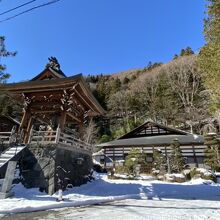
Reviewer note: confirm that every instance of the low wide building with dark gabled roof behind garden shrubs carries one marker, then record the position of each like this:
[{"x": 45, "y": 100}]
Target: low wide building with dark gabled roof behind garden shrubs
[{"x": 152, "y": 136}]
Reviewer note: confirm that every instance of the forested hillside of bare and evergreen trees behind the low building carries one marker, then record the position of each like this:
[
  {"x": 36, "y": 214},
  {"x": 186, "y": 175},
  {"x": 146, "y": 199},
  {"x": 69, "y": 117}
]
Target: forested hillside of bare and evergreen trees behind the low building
[{"x": 173, "y": 94}]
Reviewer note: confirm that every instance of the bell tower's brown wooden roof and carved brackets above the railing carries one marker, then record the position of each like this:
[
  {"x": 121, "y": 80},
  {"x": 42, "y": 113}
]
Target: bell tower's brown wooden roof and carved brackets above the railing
[{"x": 54, "y": 100}]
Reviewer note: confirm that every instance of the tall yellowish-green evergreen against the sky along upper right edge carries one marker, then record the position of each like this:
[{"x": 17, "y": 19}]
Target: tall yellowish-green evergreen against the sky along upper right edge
[{"x": 210, "y": 54}]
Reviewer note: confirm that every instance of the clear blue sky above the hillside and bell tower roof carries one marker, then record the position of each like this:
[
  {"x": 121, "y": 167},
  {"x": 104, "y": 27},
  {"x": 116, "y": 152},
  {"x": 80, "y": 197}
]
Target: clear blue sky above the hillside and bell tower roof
[{"x": 100, "y": 36}]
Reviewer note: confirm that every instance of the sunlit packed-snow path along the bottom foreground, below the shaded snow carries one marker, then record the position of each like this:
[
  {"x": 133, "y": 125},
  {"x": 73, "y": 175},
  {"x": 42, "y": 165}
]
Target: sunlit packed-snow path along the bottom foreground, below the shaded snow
[{"x": 132, "y": 210}]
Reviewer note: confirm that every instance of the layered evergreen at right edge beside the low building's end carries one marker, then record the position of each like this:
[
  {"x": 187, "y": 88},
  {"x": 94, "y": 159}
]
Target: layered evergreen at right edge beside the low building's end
[{"x": 212, "y": 152}]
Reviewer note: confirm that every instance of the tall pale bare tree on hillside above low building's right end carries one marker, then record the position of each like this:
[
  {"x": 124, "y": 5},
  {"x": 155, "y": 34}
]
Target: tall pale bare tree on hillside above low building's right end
[{"x": 185, "y": 82}]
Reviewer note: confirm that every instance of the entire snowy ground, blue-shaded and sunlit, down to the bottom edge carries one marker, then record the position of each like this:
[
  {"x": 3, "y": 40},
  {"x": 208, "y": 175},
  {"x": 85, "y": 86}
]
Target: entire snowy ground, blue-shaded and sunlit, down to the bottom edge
[{"x": 136, "y": 199}]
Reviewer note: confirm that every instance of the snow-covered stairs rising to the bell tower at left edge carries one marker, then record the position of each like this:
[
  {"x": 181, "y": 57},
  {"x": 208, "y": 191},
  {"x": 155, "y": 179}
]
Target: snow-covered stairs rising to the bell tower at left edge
[{"x": 10, "y": 154}]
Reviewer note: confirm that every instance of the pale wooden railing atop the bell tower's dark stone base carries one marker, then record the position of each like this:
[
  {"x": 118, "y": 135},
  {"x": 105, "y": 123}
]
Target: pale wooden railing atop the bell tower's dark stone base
[{"x": 57, "y": 137}]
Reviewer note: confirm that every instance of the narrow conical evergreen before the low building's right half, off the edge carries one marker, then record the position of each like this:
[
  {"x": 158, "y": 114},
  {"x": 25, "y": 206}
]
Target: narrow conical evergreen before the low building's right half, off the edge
[{"x": 177, "y": 161}]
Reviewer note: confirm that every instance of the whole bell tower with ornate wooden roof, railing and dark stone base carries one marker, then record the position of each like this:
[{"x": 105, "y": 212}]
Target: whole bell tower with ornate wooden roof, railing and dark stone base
[{"x": 56, "y": 109}]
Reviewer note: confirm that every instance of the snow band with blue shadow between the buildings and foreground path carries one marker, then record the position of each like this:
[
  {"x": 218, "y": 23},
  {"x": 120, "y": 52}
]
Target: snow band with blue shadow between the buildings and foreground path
[{"x": 102, "y": 190}]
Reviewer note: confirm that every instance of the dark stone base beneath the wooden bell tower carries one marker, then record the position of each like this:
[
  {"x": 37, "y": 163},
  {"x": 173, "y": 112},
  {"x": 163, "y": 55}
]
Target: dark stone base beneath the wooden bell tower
[{"x": 50, "y": 167}]
